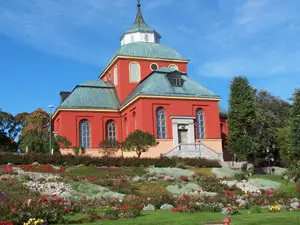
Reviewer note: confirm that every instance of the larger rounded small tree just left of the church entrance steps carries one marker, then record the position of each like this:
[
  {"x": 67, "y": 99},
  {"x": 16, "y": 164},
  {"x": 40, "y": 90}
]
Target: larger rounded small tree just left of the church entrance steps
[{"x": 139, "y": 142}]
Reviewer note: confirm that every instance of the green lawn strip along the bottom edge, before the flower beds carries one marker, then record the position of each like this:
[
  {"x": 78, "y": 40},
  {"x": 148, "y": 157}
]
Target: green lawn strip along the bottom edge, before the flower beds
[{"x": 163, "y": 217}]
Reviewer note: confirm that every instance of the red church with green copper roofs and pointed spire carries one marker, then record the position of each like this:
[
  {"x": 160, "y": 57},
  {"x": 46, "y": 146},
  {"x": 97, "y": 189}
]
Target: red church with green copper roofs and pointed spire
[{"x": 144, "y": 86}]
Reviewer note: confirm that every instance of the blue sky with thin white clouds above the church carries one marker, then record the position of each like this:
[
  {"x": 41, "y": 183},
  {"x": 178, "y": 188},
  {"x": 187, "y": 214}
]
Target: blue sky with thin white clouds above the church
[{"x": 48, "y": 46}]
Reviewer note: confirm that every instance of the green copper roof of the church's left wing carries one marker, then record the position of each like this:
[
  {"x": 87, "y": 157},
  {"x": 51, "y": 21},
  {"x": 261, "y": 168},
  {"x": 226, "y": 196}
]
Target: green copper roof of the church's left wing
[{"x": 92, "y": 94}]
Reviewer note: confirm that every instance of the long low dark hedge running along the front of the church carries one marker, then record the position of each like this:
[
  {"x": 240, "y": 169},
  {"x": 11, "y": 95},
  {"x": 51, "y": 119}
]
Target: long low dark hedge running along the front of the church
[{"x": 71, "y": 160}]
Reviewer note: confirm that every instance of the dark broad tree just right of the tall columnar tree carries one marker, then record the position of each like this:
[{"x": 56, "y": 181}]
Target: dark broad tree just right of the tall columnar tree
[{"x": 271, "y": 113}]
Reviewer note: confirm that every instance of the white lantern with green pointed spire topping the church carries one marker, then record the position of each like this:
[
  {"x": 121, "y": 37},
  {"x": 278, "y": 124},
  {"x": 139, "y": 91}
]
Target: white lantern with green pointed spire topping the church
[{"x": 140, "y": 31}]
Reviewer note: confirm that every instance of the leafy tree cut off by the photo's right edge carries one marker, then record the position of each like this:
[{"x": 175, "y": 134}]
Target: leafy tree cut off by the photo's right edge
[{"x": 295, "y": 126}]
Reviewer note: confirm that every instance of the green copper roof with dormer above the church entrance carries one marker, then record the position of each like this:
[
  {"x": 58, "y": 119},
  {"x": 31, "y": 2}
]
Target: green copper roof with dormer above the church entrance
[{"x": 158, "y": 84}]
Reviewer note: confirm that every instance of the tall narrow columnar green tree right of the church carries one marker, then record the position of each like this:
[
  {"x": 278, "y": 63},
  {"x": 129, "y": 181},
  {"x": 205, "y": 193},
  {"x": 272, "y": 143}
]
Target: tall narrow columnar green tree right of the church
[{"x": 242, "y": 135}]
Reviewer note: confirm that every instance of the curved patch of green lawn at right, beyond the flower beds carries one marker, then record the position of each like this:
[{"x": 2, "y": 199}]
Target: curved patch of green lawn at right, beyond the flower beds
[{"x": 286, "y": 186}]
